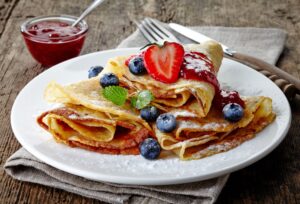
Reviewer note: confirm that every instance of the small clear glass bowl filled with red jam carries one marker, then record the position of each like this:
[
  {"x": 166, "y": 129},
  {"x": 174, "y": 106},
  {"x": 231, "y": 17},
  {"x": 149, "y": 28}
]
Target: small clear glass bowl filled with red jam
[{"x": 51, "y": 42}]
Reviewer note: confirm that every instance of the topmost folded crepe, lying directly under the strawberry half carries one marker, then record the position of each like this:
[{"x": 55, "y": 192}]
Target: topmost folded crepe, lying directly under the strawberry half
[{"x": 168, "y": 96}]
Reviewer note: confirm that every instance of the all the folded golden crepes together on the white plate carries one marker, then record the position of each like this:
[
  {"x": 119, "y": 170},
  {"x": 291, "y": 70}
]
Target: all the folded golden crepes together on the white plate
[{"x": 87, "y": 120}]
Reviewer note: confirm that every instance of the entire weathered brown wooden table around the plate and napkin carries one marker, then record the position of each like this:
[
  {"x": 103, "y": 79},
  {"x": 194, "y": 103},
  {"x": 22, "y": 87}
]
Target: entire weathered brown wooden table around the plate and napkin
[{"x": 274, "y": 179}]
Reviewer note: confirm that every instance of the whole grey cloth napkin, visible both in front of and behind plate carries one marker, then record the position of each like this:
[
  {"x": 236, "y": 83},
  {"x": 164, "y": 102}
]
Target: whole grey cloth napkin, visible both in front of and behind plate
[{"x": 266, "y": 44}]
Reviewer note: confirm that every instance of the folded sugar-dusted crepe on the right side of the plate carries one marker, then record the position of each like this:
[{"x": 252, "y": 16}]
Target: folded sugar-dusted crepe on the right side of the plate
[{"x": 195, "y": 137}]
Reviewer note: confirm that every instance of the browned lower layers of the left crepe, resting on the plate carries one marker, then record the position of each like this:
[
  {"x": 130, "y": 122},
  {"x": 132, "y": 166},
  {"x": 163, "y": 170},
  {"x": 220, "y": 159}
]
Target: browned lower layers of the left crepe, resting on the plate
[{"x": 78, "y": 126}]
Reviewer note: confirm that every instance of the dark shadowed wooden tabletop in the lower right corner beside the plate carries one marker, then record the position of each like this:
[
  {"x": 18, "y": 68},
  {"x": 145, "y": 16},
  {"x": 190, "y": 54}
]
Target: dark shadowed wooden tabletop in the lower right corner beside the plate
[{"x": 276, "y": 175}]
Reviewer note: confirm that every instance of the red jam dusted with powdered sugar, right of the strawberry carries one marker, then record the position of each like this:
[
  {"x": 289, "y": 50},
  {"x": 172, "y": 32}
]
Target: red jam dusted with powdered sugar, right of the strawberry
[{"x": 197, "y": 66}]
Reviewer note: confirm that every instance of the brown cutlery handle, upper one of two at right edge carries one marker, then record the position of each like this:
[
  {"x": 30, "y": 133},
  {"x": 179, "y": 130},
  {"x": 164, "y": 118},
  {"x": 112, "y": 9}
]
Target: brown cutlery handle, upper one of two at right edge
[{"x": 261, "y": 65}]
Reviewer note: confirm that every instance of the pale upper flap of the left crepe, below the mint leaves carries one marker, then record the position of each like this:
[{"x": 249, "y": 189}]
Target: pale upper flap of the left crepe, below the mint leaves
[{"x": 88, "y": 93}]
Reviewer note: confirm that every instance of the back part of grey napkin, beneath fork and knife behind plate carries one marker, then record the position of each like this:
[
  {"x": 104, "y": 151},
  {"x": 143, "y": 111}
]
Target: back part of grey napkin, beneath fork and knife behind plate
[{"x": 264, "y": 43}]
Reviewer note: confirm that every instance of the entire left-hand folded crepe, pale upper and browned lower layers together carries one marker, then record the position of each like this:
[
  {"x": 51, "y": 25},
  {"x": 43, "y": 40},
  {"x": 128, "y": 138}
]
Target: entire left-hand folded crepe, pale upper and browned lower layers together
[{"x": 89, "y": 121}]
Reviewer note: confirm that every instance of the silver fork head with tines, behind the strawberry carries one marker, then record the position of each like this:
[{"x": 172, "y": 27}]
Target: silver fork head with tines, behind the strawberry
[{"x": 154, "y": 32}]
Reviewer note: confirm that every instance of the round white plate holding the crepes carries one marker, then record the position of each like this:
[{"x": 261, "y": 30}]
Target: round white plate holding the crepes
[{"x": 134, "y": 169}]
